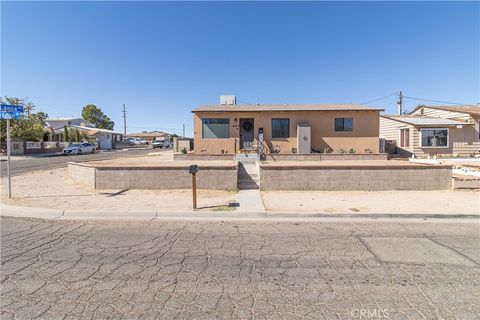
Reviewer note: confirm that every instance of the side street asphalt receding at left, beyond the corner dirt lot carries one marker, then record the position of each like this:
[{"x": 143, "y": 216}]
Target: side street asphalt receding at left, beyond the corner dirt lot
[{"x": 25, "y": 164}]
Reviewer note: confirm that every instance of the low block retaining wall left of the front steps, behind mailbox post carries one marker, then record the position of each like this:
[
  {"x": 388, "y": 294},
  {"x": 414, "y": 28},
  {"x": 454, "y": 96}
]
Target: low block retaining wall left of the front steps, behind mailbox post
[{"x": 164, "y": 177}]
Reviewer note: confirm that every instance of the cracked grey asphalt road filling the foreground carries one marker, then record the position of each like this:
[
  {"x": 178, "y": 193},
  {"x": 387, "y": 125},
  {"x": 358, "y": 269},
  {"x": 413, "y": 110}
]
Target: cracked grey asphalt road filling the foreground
[{"x": 238, "y": 270}]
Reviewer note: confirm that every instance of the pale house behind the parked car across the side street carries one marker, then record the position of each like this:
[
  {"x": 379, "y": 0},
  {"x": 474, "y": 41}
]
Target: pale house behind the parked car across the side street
[{"x": 104, "y": 139}]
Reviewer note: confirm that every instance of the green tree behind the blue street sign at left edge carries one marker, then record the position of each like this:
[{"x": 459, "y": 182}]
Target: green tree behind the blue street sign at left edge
[{"x": 31, "y": 127}]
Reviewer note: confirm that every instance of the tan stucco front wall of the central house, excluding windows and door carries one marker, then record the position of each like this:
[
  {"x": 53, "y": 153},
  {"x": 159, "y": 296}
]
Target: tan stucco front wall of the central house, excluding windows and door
[{"x": 363, "y": 138}]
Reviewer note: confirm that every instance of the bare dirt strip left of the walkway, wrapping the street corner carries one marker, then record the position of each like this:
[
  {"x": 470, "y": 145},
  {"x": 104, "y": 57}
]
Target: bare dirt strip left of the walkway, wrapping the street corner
[{"x": 55, "y": 189}]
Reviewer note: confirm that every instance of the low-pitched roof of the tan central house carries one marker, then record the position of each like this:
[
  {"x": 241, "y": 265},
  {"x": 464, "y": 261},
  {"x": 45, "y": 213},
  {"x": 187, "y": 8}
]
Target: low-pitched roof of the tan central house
[{"x": 284, "y": 107}]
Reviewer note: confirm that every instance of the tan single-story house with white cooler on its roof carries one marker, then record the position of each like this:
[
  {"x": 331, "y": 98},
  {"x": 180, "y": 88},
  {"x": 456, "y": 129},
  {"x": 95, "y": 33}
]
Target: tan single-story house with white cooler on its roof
[{"x": 230, "y": 128}]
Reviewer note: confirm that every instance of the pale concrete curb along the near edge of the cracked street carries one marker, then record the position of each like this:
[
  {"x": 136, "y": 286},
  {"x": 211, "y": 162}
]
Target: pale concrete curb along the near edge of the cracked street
[{"x": 43, "y": 213}]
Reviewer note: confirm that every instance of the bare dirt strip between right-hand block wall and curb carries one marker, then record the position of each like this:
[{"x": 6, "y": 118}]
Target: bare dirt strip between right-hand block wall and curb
[{"x": 430, "y": 202}]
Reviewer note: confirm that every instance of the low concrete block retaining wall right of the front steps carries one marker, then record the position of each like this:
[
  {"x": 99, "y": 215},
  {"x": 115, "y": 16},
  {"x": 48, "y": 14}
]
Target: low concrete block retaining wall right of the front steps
[{"x": 361, "y": 178}]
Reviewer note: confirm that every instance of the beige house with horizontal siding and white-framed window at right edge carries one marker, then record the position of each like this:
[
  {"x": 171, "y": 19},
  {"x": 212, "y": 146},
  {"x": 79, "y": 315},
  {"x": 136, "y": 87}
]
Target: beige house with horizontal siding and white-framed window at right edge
[{"x": 434, "y": 130}]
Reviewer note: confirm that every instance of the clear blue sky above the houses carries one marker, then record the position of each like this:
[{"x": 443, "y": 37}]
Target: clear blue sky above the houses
[{"x": 162, "y": 59}]
